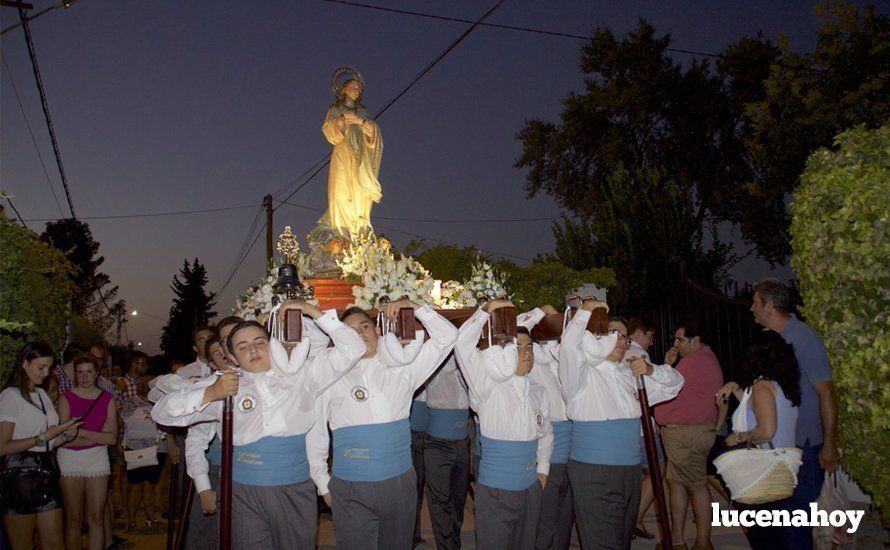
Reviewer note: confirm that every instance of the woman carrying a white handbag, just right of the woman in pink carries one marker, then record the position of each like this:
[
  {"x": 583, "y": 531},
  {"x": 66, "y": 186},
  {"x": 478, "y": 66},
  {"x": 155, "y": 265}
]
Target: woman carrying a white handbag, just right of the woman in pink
[{"x": 145, "y": 453}]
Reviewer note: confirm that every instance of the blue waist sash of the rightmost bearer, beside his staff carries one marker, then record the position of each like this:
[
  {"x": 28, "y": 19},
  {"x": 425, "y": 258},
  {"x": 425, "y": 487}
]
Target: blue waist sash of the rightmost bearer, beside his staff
[{"x": 608, "y": 442}]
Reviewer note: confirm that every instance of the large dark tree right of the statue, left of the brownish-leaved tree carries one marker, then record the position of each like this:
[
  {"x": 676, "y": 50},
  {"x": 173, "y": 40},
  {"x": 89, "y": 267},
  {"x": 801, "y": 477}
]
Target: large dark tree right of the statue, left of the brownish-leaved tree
[{"x": 643, "y": 159}]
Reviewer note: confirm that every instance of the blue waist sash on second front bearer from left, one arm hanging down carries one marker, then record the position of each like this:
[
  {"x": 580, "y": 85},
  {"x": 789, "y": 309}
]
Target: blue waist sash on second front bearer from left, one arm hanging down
[{"x": 372, "y": 452}]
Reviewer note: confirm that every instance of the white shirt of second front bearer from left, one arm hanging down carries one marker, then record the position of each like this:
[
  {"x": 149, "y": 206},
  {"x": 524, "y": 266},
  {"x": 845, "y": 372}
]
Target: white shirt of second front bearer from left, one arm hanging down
[{"x": 374, "y": 393}]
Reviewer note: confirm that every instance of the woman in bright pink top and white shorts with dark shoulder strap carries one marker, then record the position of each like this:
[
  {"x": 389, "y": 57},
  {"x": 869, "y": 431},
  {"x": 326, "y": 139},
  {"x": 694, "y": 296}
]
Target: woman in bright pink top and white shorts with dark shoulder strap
[{"x": 84, "y": 461}]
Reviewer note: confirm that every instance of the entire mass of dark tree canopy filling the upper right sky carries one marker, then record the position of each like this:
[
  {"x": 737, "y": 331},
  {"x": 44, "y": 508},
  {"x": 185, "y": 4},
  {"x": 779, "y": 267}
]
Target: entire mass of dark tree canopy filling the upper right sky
[{"x": 654, "y": 160}]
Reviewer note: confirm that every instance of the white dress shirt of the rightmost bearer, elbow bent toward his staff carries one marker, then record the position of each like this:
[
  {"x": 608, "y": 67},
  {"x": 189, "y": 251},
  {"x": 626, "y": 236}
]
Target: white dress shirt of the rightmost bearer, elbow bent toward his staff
[{"x": 597, "y": 389}]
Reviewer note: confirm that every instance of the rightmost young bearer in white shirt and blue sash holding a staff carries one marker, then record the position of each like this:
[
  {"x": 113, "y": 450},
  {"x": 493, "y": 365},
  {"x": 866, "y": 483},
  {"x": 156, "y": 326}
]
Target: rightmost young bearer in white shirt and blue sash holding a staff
[{"x": 601, "y": 399}]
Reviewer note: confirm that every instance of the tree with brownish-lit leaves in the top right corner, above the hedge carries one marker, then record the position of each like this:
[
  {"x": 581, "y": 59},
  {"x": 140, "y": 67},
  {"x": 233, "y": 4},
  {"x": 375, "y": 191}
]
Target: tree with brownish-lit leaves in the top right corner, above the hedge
[{"x": 809, "y": 99}]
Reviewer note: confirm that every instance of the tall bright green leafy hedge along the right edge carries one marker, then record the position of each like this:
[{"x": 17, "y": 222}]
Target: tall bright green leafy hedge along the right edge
[{"x": 841, "y": 254}]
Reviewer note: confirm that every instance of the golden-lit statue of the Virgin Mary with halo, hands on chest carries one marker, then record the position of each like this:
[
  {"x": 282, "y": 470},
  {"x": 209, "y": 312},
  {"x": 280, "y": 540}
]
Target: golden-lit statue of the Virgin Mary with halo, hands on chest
[{"x": 355, "y": 161}]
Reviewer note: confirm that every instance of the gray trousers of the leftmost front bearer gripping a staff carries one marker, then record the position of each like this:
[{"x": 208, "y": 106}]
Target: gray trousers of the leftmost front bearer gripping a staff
[{"x": 284, "y": 516}]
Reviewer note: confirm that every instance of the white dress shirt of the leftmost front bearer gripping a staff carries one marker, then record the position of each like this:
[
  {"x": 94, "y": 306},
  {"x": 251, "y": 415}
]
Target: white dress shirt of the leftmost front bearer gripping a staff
[{"x": 278, "y": 402}]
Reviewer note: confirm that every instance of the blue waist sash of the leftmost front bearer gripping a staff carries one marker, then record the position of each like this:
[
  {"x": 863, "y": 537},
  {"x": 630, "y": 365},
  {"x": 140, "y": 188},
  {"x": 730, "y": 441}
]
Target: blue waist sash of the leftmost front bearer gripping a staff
[{"x": 271, "y": 461}]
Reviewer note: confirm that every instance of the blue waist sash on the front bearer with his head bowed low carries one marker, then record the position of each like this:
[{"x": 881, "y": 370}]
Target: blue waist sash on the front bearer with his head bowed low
[{"x": 510, "y": 465}]
